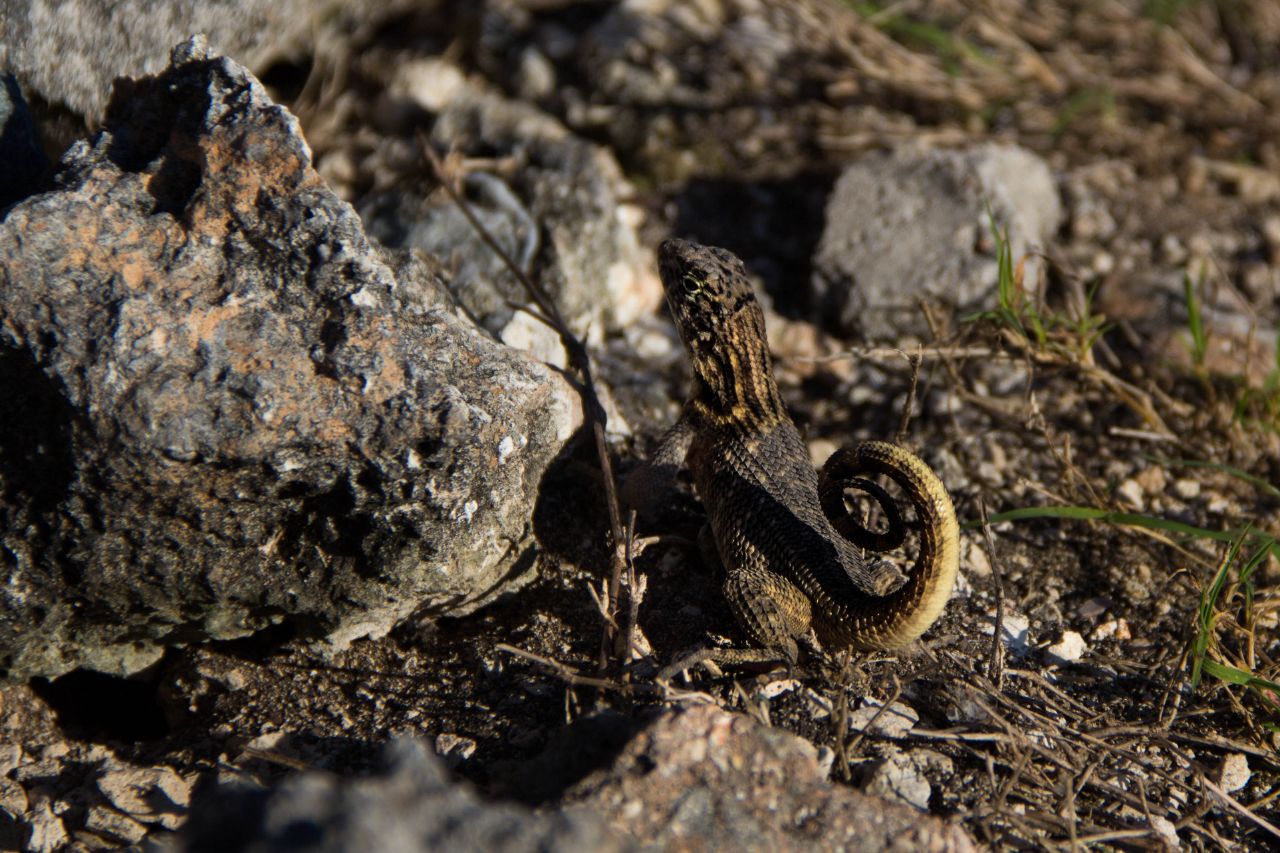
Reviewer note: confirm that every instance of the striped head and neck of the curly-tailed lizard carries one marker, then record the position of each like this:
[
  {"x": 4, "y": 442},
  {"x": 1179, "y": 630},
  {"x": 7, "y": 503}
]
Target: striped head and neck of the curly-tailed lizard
[{"x": 723, "y": 326}]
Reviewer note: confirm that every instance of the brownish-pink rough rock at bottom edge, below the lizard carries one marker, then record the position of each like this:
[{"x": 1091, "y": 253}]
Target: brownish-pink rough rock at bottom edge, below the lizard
[{"x": 706, "y": 779}]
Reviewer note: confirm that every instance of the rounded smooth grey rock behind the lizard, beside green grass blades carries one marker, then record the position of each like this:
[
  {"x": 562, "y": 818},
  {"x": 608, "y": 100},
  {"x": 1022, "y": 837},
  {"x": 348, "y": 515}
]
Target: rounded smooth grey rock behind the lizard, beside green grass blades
[{"x": 913, "y": 225}]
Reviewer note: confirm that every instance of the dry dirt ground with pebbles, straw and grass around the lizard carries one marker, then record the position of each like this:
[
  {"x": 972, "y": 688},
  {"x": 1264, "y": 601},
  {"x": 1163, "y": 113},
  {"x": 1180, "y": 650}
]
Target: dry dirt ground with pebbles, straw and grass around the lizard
[{"x": 1109, "y": 453}]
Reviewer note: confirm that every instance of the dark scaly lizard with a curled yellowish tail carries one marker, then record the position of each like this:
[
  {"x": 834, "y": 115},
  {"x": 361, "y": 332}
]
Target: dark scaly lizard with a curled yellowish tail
[{"x": 789, "y": 548}]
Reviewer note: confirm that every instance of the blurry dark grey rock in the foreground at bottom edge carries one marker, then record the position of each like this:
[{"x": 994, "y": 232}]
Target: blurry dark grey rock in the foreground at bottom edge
[{"x": 412, "y": 808}]
